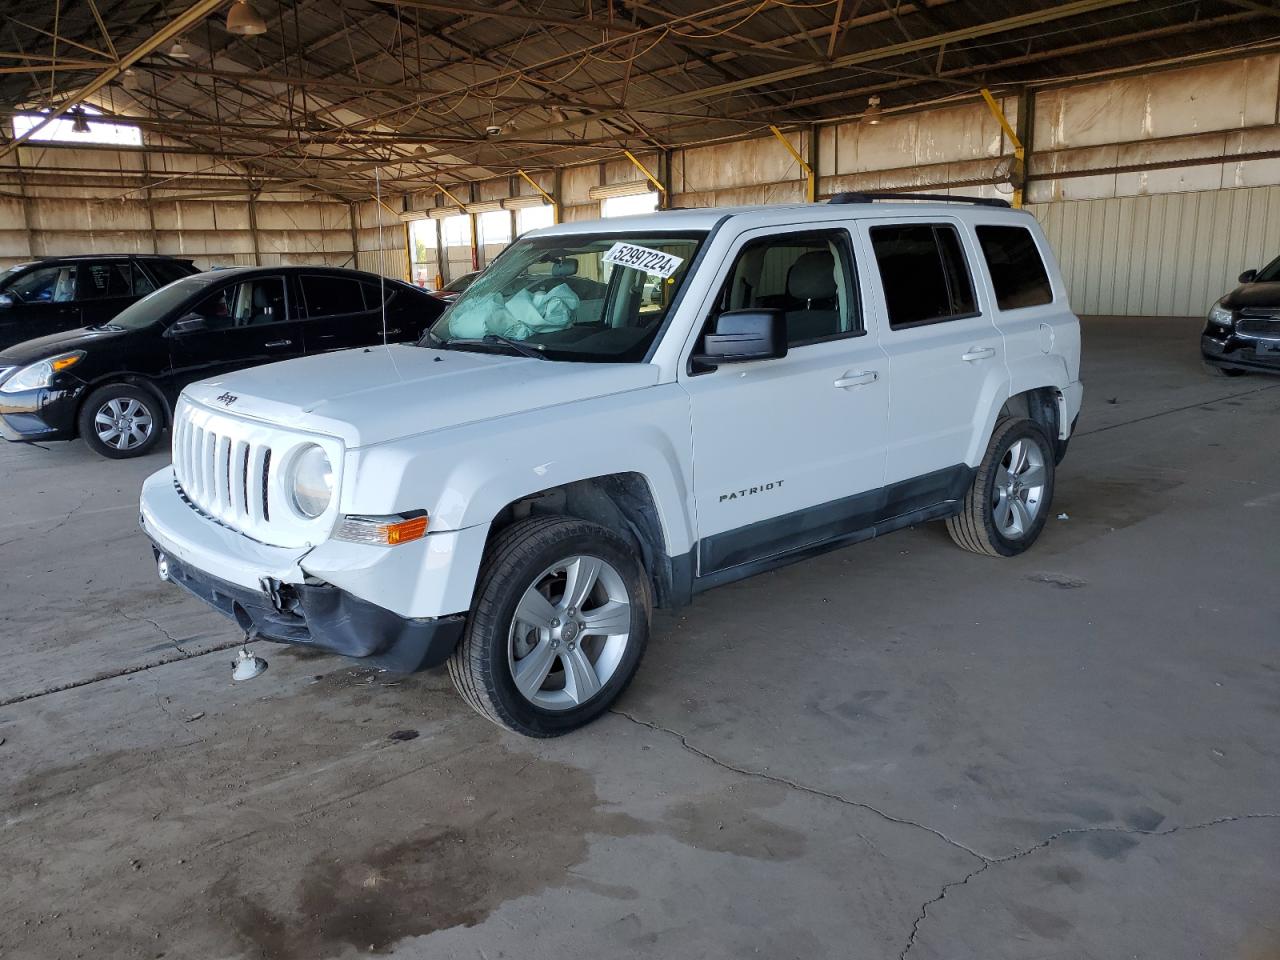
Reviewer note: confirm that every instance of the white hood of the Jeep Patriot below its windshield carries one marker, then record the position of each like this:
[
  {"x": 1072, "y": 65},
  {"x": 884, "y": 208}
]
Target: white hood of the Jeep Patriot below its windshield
[{"x": 386, "y": 394}]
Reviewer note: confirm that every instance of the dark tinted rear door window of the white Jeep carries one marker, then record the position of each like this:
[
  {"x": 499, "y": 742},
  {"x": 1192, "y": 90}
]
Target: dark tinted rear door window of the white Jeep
[{"x": 924, "y": 273}]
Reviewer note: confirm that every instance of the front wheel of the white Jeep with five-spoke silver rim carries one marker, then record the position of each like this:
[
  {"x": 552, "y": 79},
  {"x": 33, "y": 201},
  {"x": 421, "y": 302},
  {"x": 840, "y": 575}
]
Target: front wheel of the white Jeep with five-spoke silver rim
[{"x": 557, "y": 628}]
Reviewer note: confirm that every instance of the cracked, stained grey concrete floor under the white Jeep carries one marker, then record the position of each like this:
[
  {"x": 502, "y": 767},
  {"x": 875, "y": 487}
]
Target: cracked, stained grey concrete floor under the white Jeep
[{"x": 897, "y": 749}]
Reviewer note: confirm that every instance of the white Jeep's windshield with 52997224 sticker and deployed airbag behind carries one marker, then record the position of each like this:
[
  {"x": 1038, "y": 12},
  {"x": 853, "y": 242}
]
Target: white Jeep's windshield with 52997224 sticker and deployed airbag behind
[{"x": 586, "y": 298}]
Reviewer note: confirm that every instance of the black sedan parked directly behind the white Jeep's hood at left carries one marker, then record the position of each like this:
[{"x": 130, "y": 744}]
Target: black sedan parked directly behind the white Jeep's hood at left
[{"x": 116, "y": 385}]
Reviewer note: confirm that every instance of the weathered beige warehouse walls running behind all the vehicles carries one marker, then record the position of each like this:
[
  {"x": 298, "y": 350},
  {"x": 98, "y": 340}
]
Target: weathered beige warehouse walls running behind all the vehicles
[{"x": 1156, "y": 189}]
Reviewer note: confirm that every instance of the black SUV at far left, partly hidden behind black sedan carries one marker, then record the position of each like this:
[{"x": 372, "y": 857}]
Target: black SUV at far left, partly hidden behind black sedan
[{"x": 62, "y": 294}]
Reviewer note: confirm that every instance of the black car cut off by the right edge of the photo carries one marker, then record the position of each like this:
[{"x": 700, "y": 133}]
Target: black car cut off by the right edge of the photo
[{"x": 1244, "y": 330}]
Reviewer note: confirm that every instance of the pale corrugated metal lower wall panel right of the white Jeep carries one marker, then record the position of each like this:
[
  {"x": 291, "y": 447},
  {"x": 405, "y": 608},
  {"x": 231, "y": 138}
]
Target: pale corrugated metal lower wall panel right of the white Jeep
[{"x": 1163, "y": 255}]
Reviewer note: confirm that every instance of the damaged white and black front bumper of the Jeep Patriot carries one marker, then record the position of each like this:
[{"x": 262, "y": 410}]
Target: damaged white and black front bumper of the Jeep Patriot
[{"x": 268, "y": 593}]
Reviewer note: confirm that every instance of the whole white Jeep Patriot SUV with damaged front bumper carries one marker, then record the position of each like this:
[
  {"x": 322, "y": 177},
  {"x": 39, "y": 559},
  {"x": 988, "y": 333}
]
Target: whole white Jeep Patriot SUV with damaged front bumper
[{"x": 619, "y": 415}]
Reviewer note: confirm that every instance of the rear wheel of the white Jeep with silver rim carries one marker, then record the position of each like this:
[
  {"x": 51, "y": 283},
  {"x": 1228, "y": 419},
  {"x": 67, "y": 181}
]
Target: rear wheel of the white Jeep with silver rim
[{"x": 1012, "y": 492}]
